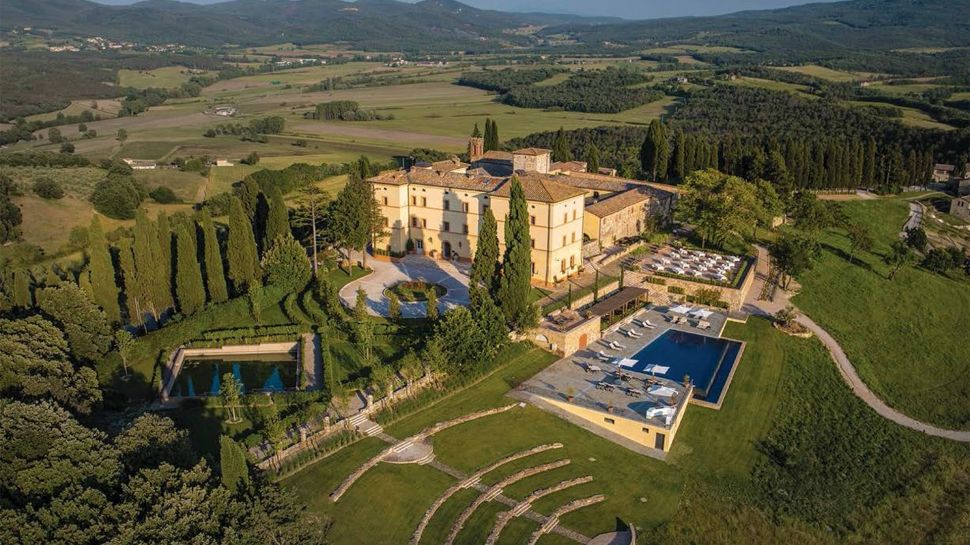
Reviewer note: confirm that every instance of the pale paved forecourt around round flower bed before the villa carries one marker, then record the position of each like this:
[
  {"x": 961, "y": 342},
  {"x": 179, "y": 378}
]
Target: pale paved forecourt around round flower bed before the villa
[{"x": 453, "y": 276}]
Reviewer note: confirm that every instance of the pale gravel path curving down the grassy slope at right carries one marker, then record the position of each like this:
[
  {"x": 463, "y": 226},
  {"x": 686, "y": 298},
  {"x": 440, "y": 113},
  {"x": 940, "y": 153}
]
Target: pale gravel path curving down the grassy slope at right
[{"x": 846, "y": 369}]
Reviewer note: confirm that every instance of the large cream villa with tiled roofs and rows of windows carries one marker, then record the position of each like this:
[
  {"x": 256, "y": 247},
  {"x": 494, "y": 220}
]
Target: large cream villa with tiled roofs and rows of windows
[{"x": 438, "y": 207}]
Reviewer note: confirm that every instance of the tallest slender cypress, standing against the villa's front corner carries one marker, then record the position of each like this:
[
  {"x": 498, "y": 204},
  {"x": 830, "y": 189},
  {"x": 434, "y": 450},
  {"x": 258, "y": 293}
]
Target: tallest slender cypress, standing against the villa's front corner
[{"x": 514, "y": 287}]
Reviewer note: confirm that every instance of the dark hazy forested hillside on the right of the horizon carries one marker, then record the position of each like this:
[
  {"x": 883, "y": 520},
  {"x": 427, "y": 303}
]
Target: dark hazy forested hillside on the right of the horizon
[{"x": 807, "y": 33}]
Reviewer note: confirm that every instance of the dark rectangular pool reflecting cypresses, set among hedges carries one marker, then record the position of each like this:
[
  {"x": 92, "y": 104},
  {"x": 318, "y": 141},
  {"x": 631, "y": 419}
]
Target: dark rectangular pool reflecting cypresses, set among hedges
[{"x": 202, "y": 376}]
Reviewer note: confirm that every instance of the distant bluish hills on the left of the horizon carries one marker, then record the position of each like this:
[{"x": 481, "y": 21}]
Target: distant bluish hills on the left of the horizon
[{"x": 370, "y": 24}]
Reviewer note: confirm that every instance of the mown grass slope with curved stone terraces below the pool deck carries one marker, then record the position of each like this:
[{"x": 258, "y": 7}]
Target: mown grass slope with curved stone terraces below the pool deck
[{"x": 709, "y": 485}]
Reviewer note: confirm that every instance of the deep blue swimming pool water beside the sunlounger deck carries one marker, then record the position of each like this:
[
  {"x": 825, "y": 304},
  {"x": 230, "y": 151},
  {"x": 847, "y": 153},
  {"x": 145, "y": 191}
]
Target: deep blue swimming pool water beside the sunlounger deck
[{"x": 708, "y": 360}]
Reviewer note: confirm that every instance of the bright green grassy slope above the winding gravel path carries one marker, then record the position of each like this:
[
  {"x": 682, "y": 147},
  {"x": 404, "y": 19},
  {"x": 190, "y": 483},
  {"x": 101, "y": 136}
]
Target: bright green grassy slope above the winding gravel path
[{"x": 906, "y": 337}]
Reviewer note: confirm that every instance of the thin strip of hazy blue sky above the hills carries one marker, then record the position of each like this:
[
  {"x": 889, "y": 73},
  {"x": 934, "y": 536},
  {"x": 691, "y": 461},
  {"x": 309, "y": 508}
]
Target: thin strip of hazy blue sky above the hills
[{"x": 630, "y": 9}]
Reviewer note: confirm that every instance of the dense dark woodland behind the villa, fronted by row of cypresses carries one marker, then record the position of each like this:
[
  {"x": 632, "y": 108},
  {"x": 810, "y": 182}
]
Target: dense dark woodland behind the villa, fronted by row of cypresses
[{"x": 772, "y": 135}]
